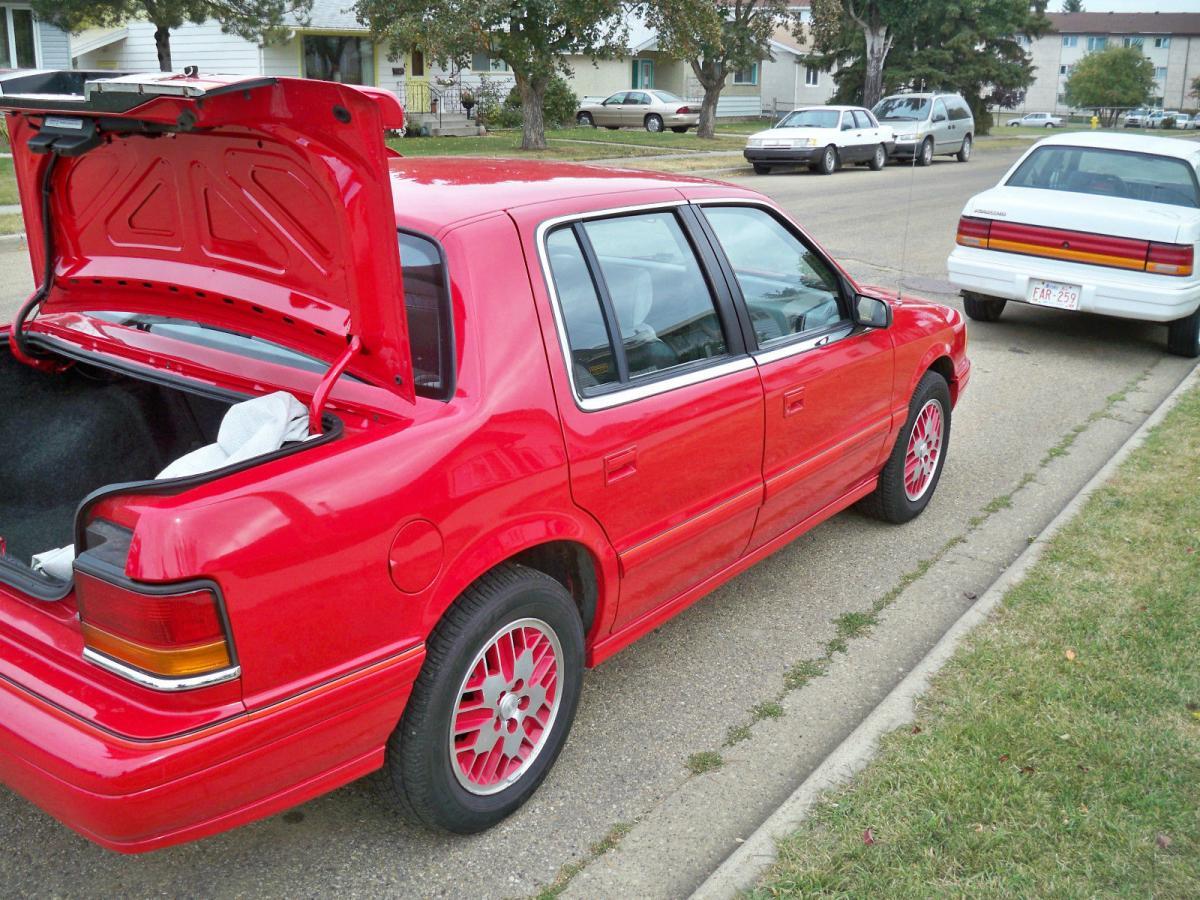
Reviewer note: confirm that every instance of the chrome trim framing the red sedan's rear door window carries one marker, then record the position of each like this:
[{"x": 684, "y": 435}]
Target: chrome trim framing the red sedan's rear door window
[{"x": 633, "y": 392}]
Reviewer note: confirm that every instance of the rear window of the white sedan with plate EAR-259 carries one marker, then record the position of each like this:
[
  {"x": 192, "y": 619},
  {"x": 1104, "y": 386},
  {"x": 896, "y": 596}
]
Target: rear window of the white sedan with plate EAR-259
[{"x": 1111, "y": 173}]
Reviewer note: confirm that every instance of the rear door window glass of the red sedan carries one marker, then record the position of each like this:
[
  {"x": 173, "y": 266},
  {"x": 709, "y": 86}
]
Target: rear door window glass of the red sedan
[{"x": 641, "y": 309}]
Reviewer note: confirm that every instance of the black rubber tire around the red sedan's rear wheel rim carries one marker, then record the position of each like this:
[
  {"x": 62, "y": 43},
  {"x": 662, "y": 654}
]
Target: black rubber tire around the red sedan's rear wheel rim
[{"x": 419, "y": 776}]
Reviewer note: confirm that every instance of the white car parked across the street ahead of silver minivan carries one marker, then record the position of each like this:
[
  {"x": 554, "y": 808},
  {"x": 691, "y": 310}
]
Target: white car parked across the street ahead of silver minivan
[{"x": 824, "y": 139}]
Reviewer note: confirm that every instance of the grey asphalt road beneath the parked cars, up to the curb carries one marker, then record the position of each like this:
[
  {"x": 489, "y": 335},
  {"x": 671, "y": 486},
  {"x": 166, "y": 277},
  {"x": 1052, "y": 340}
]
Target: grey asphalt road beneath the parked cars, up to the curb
[{"x": 1039, "y": 376}]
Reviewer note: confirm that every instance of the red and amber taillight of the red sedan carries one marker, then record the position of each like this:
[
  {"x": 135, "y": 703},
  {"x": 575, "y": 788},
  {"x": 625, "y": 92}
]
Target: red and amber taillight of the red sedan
[{"x": 169, "y": 635}]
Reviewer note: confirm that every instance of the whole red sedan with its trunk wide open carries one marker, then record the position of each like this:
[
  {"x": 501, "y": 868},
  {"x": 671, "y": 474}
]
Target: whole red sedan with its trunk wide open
[{"x": 542, "y": 410}]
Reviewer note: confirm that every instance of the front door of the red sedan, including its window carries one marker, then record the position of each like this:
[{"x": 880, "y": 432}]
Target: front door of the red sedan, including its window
[{"x": 827, "y": 385}]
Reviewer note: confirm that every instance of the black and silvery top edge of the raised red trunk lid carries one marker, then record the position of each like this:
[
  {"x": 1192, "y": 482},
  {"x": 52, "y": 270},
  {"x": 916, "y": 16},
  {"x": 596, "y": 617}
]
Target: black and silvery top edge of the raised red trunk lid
[{"x": 107, "y": 93}]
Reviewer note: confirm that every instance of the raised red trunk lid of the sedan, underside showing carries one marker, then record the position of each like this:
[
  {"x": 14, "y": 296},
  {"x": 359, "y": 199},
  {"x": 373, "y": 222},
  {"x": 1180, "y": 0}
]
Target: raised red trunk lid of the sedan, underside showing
[{"x": 257, "y": 205}]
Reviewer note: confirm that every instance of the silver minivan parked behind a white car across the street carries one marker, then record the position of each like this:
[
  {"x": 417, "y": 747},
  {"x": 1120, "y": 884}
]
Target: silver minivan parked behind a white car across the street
[{"x": 928, "y": 125}]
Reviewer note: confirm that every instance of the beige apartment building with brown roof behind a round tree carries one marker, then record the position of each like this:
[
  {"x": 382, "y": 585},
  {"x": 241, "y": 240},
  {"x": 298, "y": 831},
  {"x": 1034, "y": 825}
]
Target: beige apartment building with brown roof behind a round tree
[{"x": 1171, "y": 41}]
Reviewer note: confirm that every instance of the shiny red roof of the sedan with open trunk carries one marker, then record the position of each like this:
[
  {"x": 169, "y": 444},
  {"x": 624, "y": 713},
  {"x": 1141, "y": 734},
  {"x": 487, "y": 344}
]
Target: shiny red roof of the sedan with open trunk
[{"x": 433, "y": 193}]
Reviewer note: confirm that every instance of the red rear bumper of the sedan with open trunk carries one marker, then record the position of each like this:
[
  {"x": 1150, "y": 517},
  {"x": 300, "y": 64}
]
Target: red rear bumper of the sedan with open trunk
[{"x": 137, "y": 796}]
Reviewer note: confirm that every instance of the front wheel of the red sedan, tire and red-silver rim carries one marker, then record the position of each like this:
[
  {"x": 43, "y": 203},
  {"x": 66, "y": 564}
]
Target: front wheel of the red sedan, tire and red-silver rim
[{"x": 915, "y": 467}]
